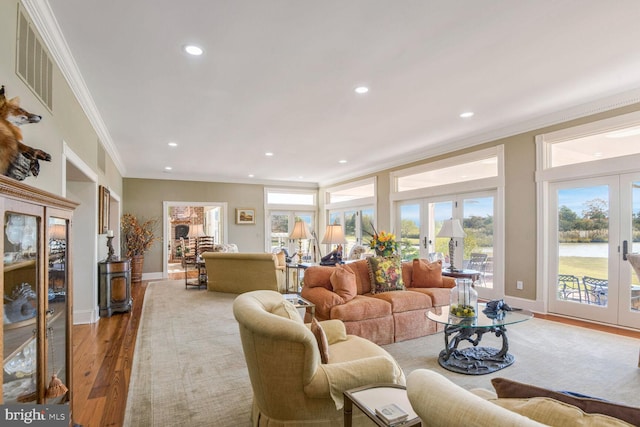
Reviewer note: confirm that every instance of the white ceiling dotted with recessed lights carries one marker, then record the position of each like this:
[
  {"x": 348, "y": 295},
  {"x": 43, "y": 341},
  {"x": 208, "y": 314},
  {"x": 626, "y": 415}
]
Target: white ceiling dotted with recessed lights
[{"x": 279, "y": 75}]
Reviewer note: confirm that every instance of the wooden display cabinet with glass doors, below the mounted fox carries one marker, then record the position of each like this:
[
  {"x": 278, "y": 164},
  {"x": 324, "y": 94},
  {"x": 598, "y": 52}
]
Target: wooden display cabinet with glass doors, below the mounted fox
[{"x": 36, "y": 294}]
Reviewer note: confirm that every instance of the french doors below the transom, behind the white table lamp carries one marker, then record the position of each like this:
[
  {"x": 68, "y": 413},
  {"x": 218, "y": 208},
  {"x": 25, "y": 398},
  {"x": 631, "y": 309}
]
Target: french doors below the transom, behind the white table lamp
[{"x": 420, "y": 221}]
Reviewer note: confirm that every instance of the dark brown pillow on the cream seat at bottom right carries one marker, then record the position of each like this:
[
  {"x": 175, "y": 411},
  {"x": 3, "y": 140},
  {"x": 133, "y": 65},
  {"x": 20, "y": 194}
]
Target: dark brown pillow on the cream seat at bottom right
[{"x": 513, "y": 389}]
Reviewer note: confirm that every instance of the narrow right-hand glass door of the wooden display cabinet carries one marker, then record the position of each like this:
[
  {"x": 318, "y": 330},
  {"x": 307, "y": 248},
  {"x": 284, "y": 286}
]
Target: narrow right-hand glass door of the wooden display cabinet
[{"x": 56, "y": 309}]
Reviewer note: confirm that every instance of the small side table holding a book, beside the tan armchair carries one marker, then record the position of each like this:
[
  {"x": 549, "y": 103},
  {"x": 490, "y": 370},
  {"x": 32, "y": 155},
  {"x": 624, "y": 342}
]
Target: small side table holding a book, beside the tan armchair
[{"x": 370, "y": 397}]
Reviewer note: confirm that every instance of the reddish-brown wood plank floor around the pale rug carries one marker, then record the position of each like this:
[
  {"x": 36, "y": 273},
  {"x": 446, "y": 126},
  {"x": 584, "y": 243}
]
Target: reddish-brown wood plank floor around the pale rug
[{"x": 103, "y": 354}]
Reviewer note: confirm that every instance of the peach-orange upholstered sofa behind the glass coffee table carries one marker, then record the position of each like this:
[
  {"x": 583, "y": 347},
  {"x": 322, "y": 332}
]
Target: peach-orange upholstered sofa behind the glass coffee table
[{"x": 384, "y": 317}]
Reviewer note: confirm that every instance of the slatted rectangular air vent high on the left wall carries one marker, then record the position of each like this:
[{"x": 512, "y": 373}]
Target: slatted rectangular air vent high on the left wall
[{"x": 33, "y": 63}]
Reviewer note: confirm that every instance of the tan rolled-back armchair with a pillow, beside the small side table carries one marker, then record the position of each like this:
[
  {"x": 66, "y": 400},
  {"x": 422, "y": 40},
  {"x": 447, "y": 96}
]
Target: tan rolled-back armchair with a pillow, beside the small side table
[{"x": 290, "y": 384}]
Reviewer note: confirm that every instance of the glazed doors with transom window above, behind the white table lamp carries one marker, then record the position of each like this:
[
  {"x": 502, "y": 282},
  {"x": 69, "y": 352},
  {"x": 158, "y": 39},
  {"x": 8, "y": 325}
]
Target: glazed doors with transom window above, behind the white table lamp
[{"x": 470, "y": 188}]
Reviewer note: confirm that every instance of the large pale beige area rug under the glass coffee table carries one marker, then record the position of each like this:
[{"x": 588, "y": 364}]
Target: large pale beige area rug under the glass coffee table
[{"x": 188, "y": 366}]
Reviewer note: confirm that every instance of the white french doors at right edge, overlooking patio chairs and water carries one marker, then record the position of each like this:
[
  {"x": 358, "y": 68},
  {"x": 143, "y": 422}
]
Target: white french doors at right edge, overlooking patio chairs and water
[{"x": 594, "y": 223}]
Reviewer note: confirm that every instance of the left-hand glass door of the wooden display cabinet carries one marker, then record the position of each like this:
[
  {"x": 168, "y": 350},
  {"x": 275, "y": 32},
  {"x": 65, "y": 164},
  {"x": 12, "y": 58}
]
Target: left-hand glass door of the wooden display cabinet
[{"x": 20, "y": 340}]
